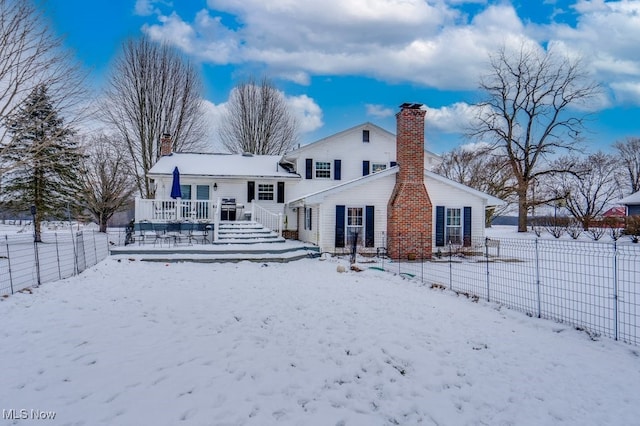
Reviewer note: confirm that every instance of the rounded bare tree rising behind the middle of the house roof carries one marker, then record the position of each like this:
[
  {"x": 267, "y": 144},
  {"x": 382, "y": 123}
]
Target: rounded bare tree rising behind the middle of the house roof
[{"x": 258, "y": 120}]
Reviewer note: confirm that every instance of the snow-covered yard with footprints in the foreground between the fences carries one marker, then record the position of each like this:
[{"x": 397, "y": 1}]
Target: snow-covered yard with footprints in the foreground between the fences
[{"x": 137, "y": 343}]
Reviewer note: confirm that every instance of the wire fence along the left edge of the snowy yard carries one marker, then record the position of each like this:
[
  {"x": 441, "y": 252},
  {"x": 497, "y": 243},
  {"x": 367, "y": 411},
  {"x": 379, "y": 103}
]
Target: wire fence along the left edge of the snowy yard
[{"x": 25, "y": 264}]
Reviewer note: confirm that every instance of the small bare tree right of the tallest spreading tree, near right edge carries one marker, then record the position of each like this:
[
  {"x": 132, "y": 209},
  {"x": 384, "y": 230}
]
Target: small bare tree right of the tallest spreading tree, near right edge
[{"x": 591, "y": 187}]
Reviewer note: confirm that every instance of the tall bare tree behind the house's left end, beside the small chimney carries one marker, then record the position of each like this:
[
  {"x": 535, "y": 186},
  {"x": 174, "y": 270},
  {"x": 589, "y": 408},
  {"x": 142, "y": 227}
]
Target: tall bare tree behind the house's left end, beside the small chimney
[{"x": 152, "y": 91}]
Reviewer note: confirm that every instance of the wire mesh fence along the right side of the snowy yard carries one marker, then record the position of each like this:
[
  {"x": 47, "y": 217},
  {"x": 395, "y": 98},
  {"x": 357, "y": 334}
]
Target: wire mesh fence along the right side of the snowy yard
[{"x": 594, "y": 286}]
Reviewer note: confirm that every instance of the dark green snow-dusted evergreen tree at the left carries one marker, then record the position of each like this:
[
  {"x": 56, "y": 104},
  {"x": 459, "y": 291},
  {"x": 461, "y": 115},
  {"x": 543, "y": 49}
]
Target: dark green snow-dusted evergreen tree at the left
[{"x": 44, "y": 157}]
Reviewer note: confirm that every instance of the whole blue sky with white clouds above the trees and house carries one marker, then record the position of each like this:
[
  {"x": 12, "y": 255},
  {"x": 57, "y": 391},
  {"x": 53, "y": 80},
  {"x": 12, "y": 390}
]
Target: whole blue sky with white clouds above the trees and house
[{"x": 344, "y": 62}]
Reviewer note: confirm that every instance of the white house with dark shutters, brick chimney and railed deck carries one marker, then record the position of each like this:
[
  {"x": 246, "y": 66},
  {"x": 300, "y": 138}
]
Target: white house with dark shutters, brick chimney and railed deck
[{"x": 363, "y": 182}]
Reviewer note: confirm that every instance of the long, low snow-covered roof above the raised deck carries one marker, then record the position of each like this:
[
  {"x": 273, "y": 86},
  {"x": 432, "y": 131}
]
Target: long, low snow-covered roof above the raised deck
[{"x": 221, "y": 165}]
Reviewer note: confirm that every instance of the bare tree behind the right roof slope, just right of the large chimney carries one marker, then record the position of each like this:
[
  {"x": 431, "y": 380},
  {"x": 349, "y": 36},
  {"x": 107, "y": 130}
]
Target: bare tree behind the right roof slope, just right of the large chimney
[{"x": 480, "y": 169}]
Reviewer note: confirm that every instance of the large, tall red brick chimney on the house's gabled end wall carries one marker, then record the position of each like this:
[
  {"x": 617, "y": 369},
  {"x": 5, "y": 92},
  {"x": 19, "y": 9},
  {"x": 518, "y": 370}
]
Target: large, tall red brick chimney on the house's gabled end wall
[{"x": 409, "y": 212}]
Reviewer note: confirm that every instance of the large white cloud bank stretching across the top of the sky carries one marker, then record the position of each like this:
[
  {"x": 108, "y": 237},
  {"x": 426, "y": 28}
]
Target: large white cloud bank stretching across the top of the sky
[{"x": 439, "y": 44}]
